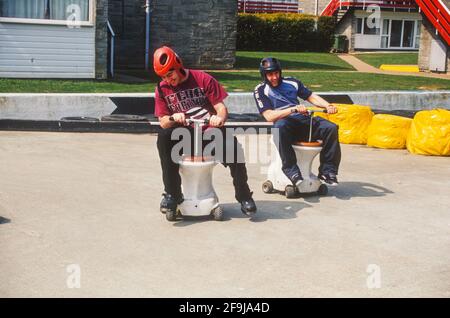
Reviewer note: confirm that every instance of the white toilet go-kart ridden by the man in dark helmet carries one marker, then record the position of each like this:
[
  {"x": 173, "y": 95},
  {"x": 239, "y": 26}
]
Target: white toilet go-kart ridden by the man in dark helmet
[{"x": 305, "y": 152}]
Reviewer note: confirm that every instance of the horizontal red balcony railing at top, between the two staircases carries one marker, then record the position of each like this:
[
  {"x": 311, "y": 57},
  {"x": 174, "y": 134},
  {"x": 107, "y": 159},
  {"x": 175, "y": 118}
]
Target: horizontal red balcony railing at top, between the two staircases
[{"x": 335, "y": 5}]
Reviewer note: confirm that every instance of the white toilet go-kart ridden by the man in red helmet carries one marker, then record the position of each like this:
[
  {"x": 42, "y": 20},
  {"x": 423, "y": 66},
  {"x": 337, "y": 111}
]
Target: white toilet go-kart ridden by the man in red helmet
[{"x": 200, "y": 198}]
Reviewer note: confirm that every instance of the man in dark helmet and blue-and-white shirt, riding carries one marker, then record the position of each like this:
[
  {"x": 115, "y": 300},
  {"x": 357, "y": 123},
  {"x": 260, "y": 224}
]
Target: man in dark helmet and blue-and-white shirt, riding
[{"x": 277, "y": 100}]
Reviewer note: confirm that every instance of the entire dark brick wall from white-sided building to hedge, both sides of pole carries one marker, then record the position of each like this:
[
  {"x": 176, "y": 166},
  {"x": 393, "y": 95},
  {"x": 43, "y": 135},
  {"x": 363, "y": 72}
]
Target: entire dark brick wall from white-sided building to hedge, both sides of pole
[{"x": 203, "y": 32}]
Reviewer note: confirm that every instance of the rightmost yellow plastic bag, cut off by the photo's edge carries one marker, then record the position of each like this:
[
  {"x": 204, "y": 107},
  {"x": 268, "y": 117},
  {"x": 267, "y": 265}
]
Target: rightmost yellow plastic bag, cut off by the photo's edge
[{"x": 430, "y": 133}]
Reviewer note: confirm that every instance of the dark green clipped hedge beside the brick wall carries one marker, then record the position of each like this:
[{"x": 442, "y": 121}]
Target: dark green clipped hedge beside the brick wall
[{"x": 284, "y": 32}]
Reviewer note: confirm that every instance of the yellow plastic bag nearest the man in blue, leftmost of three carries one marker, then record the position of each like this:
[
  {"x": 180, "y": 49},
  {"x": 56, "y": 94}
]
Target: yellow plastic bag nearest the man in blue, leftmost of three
[{"x": 353, "y": 122}]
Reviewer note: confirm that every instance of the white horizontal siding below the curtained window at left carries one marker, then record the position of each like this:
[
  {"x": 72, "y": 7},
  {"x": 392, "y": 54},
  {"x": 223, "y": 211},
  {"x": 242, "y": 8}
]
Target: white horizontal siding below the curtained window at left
[{"x": 46, "y": 51}]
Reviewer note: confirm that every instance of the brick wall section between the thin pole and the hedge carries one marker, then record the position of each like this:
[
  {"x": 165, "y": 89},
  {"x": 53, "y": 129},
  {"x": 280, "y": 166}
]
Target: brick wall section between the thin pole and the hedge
[{"x": 203, "y": 32}]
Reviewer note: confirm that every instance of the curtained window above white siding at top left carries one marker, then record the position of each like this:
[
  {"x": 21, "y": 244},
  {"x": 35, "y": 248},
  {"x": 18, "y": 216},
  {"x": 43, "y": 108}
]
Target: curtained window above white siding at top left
[{"x": 46, "y": 9}]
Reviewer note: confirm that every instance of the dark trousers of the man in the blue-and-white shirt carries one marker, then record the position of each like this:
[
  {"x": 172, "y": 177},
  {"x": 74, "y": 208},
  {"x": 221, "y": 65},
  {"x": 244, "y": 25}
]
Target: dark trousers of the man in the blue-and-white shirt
[{"x": 295, "y": 128}]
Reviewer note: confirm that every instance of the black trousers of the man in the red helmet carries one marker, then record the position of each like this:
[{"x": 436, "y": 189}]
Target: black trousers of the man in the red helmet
[{"x": 170, "y": 169}]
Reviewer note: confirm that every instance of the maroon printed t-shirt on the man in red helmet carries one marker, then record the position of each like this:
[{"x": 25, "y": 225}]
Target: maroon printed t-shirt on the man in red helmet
[{"x": 199, "y": 90}]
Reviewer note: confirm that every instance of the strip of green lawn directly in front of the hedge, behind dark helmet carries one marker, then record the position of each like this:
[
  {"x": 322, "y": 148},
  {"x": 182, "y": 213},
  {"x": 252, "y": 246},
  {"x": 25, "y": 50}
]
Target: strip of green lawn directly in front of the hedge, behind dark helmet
[{"x": 294, "y": 61}]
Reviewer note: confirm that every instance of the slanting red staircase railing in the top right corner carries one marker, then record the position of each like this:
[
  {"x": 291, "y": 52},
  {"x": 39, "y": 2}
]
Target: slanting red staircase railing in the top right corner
[{"x": 438, "y": 14}]
